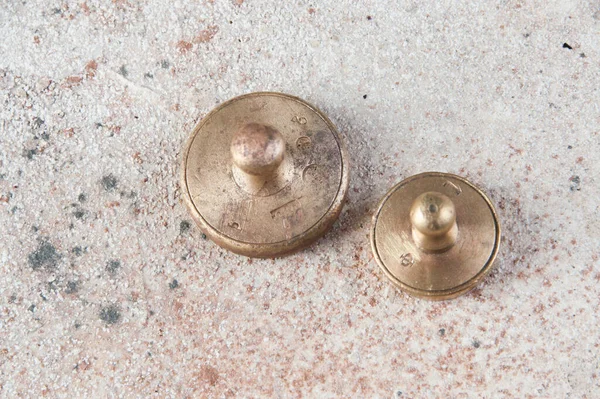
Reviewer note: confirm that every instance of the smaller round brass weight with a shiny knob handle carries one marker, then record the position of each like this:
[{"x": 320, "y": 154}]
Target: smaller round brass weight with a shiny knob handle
[{"x": 435, "y": 235}]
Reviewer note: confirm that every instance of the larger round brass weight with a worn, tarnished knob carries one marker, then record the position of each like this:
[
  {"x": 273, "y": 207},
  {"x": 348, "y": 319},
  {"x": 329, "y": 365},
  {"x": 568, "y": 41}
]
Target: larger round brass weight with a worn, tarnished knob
[{"x": 265, "y": 174}]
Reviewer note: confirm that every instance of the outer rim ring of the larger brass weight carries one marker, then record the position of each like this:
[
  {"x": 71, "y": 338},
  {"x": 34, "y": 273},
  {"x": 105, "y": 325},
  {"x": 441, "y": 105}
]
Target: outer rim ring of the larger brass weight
[{"x": 284, "y": 247}]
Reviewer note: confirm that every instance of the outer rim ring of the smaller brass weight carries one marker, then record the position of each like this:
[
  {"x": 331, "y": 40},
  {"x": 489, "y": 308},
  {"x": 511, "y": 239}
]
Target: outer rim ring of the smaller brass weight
[{"x": 436, "y": 295}]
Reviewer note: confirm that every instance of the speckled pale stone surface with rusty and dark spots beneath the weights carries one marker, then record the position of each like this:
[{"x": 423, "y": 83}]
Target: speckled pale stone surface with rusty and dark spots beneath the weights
[{"x": 107, "y": 289}]
